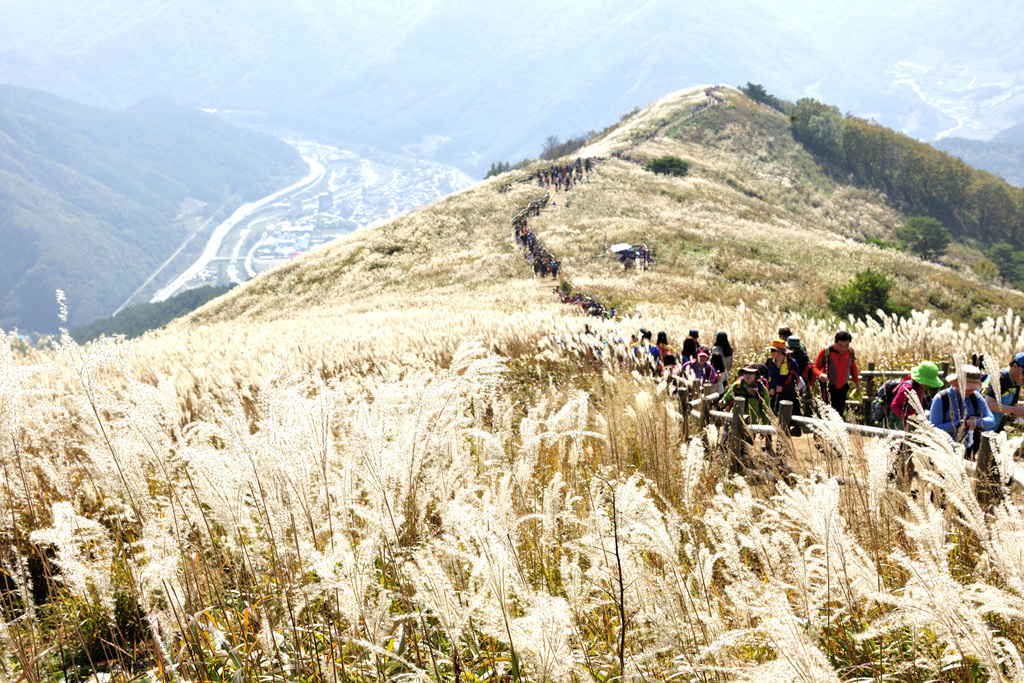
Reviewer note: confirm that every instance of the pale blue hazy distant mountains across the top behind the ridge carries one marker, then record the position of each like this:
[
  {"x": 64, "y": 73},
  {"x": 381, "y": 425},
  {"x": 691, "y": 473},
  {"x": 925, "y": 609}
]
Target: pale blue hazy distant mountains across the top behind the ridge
[{"x": 470, "y": 82}]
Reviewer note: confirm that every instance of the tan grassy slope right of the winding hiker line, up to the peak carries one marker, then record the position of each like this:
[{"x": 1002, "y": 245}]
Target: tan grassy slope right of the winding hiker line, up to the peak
[{"x": 757, "y": 218}]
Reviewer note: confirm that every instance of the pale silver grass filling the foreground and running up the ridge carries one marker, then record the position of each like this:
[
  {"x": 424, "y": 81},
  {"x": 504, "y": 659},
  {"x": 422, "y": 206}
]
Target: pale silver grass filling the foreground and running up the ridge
[{"x": 389, "y": 462}]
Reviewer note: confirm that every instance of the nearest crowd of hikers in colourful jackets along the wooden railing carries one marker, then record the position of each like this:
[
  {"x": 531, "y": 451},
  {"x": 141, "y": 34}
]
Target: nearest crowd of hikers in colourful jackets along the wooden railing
[{"x": 963, "y": 404}]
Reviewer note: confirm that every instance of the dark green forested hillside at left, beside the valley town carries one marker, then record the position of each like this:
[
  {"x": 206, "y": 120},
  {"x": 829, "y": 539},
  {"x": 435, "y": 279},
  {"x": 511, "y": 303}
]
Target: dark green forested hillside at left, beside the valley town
[{"x": 92, "y": 200}]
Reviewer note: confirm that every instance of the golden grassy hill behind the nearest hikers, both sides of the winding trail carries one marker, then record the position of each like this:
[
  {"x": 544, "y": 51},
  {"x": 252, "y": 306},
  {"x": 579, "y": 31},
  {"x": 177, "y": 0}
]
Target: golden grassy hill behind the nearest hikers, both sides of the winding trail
[{"x": 750, "y": 240}]
